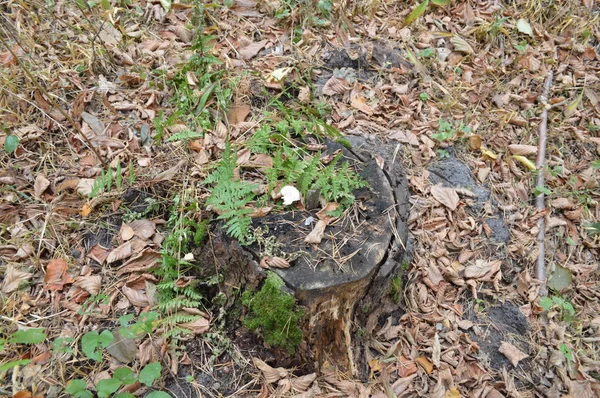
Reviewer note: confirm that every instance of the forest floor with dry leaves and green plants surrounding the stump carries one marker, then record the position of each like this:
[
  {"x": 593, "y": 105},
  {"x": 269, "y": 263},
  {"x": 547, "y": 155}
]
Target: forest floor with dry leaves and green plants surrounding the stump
[{"x": 116, "y": 114}]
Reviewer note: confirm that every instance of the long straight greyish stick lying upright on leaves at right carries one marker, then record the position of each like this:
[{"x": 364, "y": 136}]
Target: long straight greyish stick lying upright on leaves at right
[{"x": 540, "y": 269}]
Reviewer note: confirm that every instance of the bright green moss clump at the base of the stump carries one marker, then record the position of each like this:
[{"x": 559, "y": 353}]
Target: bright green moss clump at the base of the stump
[{"x": 273, "y": 314}]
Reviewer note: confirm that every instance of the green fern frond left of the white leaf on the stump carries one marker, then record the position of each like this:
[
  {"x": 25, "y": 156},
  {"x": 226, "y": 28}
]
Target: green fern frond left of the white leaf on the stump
[{"x": 230, "y": 196}]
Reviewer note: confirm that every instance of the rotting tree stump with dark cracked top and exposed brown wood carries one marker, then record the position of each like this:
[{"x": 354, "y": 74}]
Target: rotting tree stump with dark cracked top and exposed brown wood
[{"x": 351, "y": 268}]
